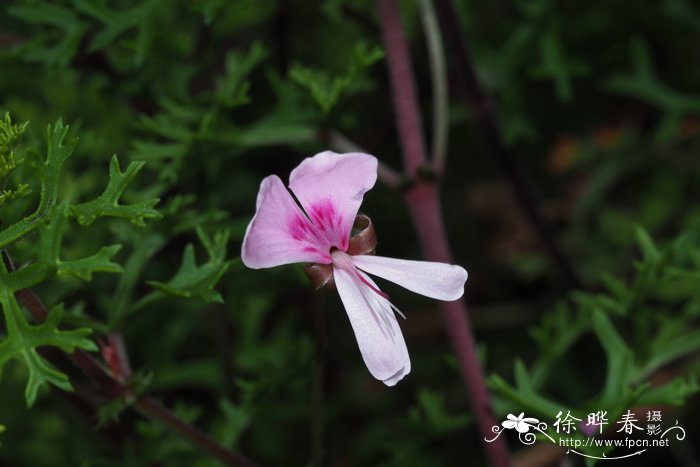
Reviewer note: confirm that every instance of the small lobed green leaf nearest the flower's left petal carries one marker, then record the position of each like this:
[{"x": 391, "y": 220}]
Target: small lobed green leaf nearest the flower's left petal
[{"x": 194, "y": 281}]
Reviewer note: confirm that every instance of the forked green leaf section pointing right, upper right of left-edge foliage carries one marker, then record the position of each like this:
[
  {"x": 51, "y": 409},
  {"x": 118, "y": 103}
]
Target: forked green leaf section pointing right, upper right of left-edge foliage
[{"x": 107, "y": 204}]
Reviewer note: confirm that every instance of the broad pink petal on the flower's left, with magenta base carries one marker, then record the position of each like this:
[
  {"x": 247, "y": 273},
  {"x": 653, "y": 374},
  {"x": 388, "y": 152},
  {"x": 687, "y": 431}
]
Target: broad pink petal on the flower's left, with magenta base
[{"x": 280, "y": 233}]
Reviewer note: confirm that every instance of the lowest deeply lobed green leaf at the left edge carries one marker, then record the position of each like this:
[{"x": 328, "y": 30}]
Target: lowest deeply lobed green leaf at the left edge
[{"x": 23, "y": 340}]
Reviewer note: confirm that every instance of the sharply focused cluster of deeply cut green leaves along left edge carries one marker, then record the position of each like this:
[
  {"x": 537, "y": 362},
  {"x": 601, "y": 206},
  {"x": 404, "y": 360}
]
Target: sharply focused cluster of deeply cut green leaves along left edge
[{"x": 23, "y": 339}]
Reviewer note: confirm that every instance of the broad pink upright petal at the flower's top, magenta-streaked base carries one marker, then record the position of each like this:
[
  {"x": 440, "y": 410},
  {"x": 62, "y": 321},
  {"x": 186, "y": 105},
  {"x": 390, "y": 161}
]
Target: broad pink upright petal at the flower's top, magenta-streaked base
[{"x": 330, "y": 188}]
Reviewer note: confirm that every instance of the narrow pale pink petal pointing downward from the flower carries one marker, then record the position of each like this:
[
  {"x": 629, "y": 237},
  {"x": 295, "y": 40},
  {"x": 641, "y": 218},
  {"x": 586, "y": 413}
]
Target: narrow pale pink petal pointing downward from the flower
[{"x": 376, "y": 330}]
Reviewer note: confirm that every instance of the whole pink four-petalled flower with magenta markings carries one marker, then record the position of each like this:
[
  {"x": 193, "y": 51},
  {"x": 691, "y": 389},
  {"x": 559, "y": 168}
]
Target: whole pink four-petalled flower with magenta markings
[{"x": 329, "y": 188}]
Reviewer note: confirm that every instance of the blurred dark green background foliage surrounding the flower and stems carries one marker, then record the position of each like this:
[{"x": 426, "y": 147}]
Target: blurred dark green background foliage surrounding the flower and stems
[{"x": 598, "y": 101}]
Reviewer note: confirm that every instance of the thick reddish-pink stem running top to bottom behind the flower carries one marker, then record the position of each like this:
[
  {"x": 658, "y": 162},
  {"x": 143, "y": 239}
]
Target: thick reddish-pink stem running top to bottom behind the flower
[{"x": 423, "y": 203}]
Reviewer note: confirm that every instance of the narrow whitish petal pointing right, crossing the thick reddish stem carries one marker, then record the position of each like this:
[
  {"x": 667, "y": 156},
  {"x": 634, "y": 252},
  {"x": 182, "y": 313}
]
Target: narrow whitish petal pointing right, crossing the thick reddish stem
[{"x": 435, "y": 280}]
